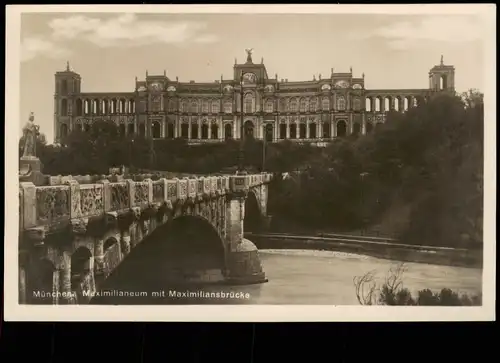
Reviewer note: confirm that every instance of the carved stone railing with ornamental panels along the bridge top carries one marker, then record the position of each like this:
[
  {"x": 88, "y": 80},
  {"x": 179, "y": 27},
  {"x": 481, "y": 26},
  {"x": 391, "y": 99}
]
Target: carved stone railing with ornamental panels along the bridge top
[{"x": 58, "y": 204}]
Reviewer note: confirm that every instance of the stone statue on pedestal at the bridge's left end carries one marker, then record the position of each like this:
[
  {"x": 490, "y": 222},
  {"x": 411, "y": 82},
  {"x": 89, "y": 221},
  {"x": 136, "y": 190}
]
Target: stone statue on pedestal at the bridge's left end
[{"x": 30, "y": 167}]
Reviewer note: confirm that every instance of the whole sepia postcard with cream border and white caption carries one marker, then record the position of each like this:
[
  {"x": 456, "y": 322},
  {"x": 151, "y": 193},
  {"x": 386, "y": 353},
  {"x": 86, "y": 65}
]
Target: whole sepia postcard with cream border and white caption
[{"x": 183, "y": 158}]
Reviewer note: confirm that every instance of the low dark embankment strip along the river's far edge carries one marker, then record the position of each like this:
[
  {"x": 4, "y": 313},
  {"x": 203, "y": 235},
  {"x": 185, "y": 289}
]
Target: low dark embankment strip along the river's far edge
[{"x": 370, "y": 246}]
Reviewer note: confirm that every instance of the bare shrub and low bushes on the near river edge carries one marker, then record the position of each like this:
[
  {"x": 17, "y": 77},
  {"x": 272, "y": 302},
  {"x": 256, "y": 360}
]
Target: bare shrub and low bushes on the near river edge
[{"x": 393, "y": 293}]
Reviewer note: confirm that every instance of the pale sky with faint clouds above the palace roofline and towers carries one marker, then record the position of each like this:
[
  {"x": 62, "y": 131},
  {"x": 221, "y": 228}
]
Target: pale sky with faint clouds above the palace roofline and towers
[{"x": 109, "y": 50}]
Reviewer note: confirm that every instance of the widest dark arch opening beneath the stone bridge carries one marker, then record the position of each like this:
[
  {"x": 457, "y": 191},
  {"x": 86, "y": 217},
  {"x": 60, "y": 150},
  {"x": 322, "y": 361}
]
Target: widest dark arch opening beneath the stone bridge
[{"x": 184, "y": 251}]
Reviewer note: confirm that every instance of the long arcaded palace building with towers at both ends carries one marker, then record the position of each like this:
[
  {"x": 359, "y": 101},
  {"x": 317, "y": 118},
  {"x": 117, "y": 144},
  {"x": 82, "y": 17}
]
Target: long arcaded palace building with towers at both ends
[{"x": 316, "y": 111}]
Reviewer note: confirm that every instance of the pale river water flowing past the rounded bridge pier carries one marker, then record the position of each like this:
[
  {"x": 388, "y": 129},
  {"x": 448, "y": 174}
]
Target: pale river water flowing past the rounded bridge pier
[{"x": 312, "y": 277}]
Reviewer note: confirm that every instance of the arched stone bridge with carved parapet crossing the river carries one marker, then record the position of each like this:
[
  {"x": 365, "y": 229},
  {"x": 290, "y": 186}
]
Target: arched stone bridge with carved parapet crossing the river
[{"x": 74, "y": 238}]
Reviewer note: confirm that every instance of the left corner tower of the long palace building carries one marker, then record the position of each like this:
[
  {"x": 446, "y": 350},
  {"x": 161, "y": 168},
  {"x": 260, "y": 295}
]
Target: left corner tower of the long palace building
[{"x": 67, "y": 86}]
